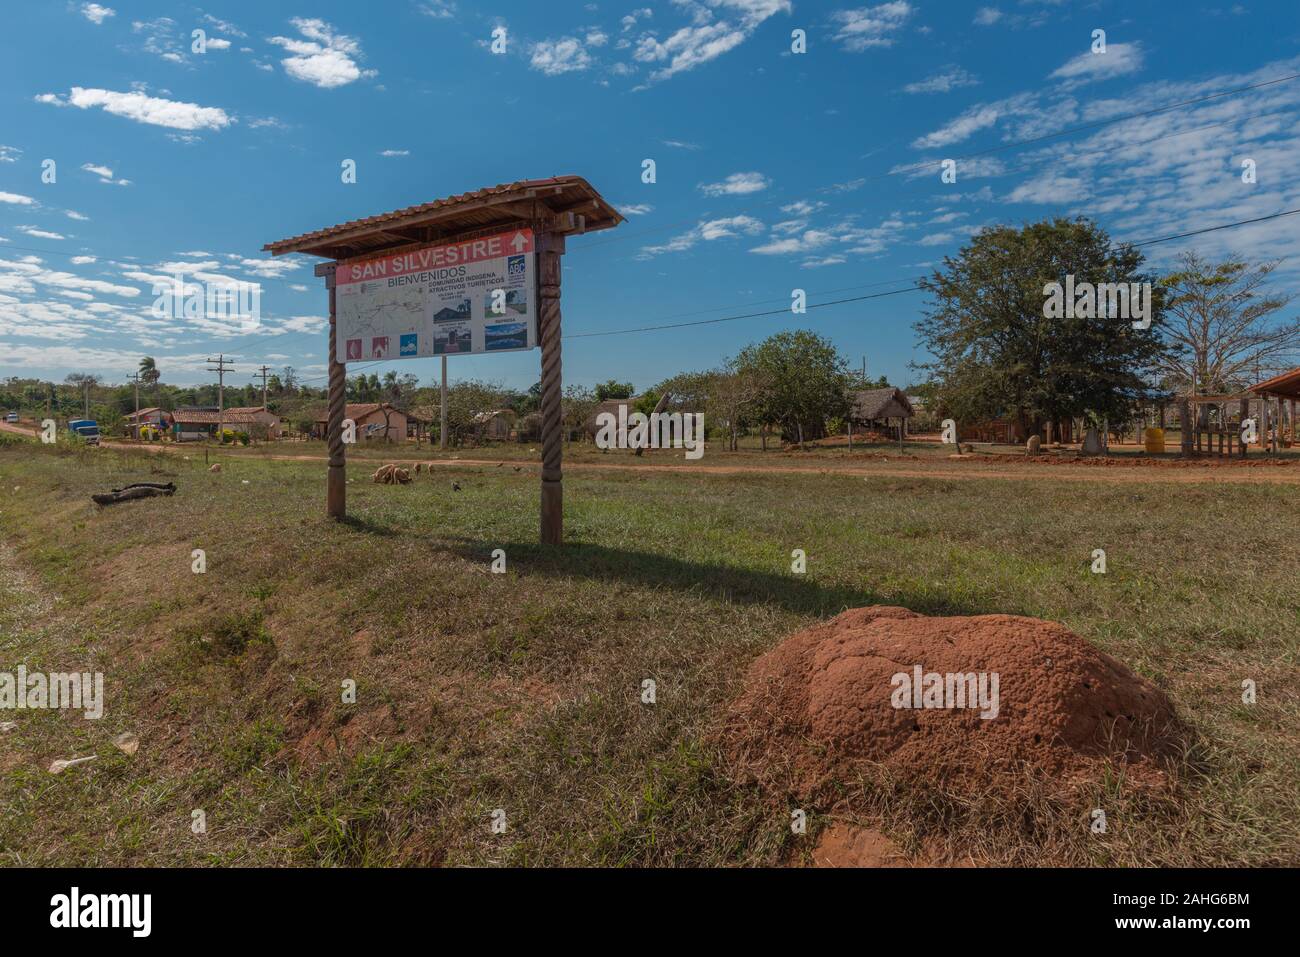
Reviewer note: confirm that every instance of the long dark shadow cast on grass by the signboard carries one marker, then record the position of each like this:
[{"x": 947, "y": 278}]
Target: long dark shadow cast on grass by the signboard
[{"x": 730, "y": 583}]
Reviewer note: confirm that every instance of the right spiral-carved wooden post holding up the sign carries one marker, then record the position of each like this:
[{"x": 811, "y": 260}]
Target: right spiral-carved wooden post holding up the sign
[{"x": 551, "y": 250}]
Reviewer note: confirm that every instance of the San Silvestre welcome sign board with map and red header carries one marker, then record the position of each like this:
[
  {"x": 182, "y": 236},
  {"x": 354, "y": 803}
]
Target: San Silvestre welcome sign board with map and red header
[{"x": 476, "y": 296}]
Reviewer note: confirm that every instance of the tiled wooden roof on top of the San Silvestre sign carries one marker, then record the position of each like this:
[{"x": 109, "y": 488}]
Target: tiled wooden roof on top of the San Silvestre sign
[{"x": 558, "y": 205}]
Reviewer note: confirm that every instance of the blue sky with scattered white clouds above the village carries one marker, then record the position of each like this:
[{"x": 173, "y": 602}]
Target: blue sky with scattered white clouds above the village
[{"x": 774, "y": 170}]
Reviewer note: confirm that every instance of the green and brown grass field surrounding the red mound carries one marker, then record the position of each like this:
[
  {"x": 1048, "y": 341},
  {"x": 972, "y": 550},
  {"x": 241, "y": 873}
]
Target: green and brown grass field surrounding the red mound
[{"x": 522, "y": 691}]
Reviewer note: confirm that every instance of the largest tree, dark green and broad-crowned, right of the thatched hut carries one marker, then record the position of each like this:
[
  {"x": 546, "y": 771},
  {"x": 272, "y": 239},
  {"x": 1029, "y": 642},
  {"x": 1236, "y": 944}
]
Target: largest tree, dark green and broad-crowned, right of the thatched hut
[{"x": 998, "y": 353}]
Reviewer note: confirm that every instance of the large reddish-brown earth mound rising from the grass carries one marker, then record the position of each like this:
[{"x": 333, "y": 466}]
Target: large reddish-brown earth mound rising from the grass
[{"x": 821, "y": 707}]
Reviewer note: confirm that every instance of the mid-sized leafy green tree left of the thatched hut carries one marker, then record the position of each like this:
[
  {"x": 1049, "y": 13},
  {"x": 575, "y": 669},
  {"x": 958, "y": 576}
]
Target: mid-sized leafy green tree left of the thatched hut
[{"x": 801, "y": 380}]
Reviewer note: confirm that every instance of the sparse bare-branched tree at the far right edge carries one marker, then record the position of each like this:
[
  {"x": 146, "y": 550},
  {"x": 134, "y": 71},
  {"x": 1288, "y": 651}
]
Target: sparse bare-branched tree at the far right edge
[{"x": 1217, "y": 326}]
